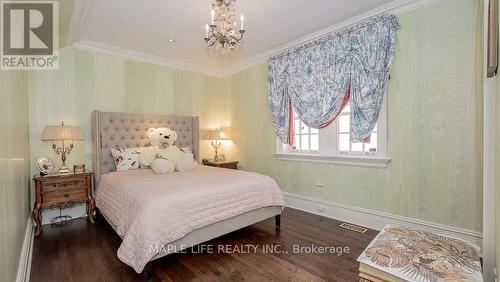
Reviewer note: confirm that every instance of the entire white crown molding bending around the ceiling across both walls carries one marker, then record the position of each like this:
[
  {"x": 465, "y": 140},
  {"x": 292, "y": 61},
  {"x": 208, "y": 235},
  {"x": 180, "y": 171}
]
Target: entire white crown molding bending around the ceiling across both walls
[{"x": 80, "y": 13}]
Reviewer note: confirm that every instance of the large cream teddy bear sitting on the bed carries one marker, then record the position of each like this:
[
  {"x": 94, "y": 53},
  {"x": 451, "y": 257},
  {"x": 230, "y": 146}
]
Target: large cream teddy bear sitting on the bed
[{"x": 163, "y": 156}]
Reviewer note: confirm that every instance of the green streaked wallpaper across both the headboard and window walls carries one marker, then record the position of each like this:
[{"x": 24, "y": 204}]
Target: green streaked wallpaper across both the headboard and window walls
[{"x": 434, "y": 109}]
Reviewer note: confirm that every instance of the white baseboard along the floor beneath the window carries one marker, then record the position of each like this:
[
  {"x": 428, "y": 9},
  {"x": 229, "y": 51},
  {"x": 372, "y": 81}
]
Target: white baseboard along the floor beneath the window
[{"x": 374, "y": 219}]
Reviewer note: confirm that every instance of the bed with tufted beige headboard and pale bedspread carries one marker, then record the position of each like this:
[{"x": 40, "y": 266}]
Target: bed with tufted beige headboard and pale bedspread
[{"x": 156, "y": 215}]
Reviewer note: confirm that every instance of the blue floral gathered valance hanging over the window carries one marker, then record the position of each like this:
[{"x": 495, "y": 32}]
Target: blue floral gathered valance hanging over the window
[{"x": 318, "y": 78}]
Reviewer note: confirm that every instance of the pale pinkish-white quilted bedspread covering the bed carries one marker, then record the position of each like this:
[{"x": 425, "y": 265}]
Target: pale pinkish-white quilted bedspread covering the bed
[{"x": 153, "y": 209}]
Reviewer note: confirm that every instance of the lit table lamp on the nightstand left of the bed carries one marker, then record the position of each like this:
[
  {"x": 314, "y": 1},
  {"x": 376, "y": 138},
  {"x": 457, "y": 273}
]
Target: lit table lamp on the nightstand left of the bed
[{"x": 62, "y": 133}]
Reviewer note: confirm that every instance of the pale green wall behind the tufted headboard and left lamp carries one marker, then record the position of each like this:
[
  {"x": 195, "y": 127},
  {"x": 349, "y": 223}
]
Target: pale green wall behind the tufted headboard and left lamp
[{"x": 88, "y": 81}]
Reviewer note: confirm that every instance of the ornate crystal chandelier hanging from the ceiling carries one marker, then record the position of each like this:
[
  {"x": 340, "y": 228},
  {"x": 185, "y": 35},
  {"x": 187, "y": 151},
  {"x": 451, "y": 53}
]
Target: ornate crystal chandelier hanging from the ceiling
[{"x": 221, "y": 32}]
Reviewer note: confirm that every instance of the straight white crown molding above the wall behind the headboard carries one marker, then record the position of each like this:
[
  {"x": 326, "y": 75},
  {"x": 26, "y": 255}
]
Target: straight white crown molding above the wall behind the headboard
[{"x": 143, "y": 57}]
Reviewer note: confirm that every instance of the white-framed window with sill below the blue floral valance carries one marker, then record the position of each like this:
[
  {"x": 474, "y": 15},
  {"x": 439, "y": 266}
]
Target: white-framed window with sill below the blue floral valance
[{"x": 332, "y": 144}]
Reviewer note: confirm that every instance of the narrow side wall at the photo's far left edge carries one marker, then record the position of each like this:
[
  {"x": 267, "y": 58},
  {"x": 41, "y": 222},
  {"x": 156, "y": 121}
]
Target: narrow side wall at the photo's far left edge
[{"x": 14, "y": 171}]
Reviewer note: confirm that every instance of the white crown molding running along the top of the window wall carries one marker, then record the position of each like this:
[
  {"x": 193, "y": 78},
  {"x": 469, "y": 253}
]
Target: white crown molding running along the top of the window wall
[{"x": 397, "y": 7}]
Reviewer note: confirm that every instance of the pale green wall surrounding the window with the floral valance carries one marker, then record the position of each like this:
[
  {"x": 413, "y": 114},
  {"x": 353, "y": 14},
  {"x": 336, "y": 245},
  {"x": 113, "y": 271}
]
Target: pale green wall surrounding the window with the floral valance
[{"x": 435, "y": 123}]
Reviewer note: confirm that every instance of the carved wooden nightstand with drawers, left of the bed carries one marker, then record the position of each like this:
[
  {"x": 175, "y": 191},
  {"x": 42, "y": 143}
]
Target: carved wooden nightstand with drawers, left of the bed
[{"x": 62, "y": 191}]
